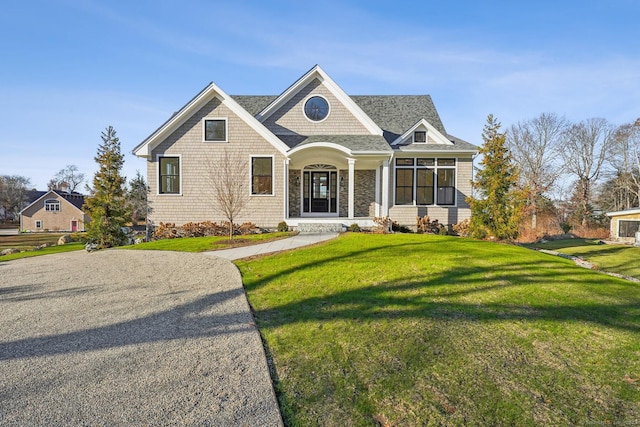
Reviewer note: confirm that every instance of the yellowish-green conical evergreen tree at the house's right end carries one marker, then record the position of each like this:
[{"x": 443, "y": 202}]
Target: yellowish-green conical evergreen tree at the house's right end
[{"x": 497, "y": 210}]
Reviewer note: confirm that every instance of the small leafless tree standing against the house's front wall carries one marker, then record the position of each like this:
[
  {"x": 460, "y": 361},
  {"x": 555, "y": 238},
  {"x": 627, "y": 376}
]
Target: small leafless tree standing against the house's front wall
[{"x": 228, "y": 176}]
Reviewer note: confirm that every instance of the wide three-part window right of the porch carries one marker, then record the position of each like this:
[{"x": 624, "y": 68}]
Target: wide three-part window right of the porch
[{"x": 425, "y": 181}]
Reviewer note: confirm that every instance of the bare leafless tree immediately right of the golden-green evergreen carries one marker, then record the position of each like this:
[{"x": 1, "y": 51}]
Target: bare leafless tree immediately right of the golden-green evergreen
[{"x": 534, "y": 145}]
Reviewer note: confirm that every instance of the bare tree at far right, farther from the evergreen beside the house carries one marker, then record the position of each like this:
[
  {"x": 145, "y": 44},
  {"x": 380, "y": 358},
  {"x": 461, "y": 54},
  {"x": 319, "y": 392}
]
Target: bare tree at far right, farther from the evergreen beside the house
[{"x": 584, "y": 150}]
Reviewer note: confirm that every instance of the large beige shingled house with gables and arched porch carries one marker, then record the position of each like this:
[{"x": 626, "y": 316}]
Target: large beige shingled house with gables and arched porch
[{"x": 312, "y": 155}]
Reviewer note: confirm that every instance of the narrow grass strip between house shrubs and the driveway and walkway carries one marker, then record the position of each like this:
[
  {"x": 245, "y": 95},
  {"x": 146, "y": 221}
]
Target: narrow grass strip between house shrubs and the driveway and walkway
[{"x": 201, "y": 244}]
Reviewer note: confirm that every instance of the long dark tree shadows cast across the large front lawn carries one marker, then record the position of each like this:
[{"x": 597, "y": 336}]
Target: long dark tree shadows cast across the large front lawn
[{"x": 450, "y": 294}]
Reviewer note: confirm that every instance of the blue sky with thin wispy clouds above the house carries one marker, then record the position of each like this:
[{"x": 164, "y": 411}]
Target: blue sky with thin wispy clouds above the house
[{"x": 70, "y": 68}]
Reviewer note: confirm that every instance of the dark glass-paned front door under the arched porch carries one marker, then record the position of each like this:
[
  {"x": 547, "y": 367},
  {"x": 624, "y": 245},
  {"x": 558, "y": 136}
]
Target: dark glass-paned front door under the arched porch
[{"x": 320, "y": 192}]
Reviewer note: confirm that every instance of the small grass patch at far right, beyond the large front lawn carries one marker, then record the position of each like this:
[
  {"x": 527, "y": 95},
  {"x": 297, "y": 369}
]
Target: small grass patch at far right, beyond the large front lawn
[{"x": 621, "y": 259}]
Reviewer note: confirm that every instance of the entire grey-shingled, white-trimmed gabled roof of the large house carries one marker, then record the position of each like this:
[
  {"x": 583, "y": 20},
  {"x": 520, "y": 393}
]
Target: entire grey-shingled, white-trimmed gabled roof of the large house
[{"x": 389, "y": 116}]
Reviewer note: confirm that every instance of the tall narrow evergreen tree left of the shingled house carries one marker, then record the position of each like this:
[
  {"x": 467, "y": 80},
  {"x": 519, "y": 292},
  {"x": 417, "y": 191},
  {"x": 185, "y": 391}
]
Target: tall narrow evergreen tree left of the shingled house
[{"x": 106, "y": 205}]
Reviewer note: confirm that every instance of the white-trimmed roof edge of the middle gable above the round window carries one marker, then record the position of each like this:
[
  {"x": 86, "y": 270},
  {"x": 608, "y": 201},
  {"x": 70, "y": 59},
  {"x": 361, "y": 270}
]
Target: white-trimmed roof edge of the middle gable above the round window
[{"x": 318, "y": 73}]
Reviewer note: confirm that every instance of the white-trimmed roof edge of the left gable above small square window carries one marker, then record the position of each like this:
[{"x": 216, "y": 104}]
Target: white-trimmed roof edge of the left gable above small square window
[{"x": 207, "y": 94}]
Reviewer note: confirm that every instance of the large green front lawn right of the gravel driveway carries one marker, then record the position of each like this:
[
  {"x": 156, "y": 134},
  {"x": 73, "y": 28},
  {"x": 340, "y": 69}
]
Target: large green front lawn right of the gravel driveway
[{"x": 409, "y": 330}]
